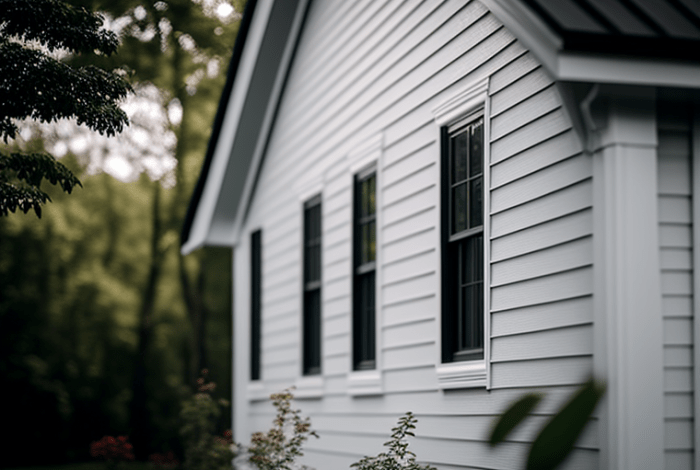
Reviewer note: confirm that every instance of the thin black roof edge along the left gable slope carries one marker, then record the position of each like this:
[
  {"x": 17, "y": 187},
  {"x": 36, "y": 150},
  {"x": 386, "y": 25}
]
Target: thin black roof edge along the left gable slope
[{"x": 218, "y": 120}]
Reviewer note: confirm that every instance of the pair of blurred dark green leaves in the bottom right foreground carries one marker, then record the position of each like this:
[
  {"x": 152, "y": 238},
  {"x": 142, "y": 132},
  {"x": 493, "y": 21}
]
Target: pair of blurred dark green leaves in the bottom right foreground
[{"x": 556, "y": 439}]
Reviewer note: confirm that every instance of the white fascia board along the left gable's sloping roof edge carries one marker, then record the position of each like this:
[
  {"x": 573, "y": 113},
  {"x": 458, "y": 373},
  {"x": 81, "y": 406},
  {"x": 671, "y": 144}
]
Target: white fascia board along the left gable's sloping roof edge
[{"x": 200, "y": 233}]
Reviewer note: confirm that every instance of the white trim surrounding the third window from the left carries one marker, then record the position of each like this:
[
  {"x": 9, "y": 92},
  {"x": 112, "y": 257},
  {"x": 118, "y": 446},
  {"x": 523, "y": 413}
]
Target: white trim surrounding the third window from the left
[{"x": 366, "y": 154}]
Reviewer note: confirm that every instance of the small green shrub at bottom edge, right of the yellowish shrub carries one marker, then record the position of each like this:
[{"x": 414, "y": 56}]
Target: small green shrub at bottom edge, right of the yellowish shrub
[{"x": 398, "y": 457}]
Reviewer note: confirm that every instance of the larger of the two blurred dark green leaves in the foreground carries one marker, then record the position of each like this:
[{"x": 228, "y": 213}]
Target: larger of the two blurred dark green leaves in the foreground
[{"x": 556, "y": 440}]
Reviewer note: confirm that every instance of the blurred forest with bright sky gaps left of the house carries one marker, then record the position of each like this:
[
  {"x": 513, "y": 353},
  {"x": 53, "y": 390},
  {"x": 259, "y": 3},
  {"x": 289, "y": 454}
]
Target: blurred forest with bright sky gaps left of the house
[{"x": 104, "y": 326}]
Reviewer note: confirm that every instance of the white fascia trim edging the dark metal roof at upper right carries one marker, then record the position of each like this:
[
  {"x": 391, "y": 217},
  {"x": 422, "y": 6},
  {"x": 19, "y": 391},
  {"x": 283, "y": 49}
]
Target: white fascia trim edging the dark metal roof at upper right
[{"x": 548, "y": 46}]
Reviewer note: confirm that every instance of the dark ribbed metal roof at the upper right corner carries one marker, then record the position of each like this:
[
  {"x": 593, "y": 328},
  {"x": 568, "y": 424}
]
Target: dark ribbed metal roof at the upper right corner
[{"x": 663, "y": 29}]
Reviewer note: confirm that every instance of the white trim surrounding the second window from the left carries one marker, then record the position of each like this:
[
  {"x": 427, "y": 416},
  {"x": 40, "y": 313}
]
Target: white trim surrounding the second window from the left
[{"x": 308, "y": 386}]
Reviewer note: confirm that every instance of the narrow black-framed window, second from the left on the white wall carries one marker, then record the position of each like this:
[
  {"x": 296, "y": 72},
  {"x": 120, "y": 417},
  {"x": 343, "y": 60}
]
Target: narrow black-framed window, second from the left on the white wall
[{"x": 312, "y": 356}]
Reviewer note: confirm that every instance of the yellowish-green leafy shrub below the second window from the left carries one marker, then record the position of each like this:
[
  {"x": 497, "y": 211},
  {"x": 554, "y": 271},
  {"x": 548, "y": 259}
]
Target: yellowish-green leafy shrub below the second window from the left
[{"x": 282, "y": 444}]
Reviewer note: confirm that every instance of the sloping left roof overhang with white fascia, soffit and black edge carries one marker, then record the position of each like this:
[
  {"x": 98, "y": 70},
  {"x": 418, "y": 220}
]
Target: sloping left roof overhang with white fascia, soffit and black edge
[{"x": 241, "y": 130}]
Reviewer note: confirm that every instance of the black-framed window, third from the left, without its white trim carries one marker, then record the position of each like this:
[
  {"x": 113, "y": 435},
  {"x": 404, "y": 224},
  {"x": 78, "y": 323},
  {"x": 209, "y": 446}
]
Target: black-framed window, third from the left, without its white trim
[{"x": 364, "y": 284}]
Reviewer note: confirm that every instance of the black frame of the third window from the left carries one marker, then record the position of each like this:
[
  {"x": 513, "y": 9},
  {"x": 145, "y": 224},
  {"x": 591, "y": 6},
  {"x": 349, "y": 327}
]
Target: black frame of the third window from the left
[{"x": 364, "y": 322}]
